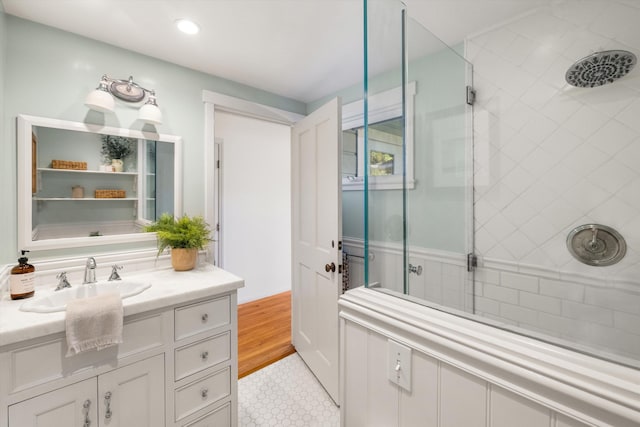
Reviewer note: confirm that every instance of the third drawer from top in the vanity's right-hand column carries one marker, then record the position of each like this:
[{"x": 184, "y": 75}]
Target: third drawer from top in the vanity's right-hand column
[{"x": 199, "y": 394}]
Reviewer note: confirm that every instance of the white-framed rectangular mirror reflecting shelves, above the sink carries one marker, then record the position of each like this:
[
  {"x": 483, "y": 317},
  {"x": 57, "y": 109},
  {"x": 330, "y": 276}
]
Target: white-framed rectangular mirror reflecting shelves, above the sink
[{"x": 81, "y": 184}]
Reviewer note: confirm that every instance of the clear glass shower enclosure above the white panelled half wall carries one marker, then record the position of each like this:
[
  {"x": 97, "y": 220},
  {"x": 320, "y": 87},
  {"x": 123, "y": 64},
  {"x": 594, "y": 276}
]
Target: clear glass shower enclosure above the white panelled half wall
[{"x": 472, "y": 206}]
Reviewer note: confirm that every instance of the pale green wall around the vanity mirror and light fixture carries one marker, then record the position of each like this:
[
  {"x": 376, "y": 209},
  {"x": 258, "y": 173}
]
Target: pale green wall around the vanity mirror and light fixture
[{"x": 48, "y": 72}]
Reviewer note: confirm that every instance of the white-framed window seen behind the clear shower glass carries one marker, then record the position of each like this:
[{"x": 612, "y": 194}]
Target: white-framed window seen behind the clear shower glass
[{"x": 385, "y": 156}]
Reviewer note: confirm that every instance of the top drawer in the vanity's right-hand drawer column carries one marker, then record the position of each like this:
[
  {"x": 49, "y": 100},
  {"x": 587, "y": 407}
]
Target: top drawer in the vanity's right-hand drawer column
[{"x": 201, "y": 317}]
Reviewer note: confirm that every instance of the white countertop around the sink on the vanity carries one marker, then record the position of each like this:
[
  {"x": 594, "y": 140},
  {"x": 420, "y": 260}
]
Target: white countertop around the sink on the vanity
[{"x": 168, "y": 287}]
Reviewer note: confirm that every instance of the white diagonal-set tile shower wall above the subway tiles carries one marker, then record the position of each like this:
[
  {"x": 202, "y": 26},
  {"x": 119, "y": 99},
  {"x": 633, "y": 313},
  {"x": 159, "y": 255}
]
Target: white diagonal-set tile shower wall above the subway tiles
[{"x": 551, "y": 156}]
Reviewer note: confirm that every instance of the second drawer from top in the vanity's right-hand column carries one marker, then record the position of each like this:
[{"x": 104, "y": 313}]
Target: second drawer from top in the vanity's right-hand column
[{"x": 201, "y": 355}]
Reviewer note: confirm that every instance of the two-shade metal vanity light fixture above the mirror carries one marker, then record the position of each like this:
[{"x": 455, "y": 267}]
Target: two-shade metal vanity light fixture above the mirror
[{"x": 101, "y": 99}]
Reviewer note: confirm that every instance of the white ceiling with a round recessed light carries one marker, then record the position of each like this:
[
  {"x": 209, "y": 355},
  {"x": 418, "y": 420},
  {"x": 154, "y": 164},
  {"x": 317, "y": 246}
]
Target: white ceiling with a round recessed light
[{"x": 301, "y": 49}]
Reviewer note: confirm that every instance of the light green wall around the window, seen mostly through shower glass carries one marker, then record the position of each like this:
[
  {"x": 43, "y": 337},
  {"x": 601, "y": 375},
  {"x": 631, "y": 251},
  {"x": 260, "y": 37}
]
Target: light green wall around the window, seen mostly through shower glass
[{"x": 436, "y": 214}]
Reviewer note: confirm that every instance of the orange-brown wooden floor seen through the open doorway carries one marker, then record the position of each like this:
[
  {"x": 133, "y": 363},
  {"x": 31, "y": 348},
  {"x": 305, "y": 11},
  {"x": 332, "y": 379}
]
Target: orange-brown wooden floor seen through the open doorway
[{"x": 264, "y": 332}]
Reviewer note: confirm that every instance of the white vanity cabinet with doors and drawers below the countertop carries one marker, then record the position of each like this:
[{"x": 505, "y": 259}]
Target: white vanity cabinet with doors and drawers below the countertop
[{"x": 177, "y": 366}]
